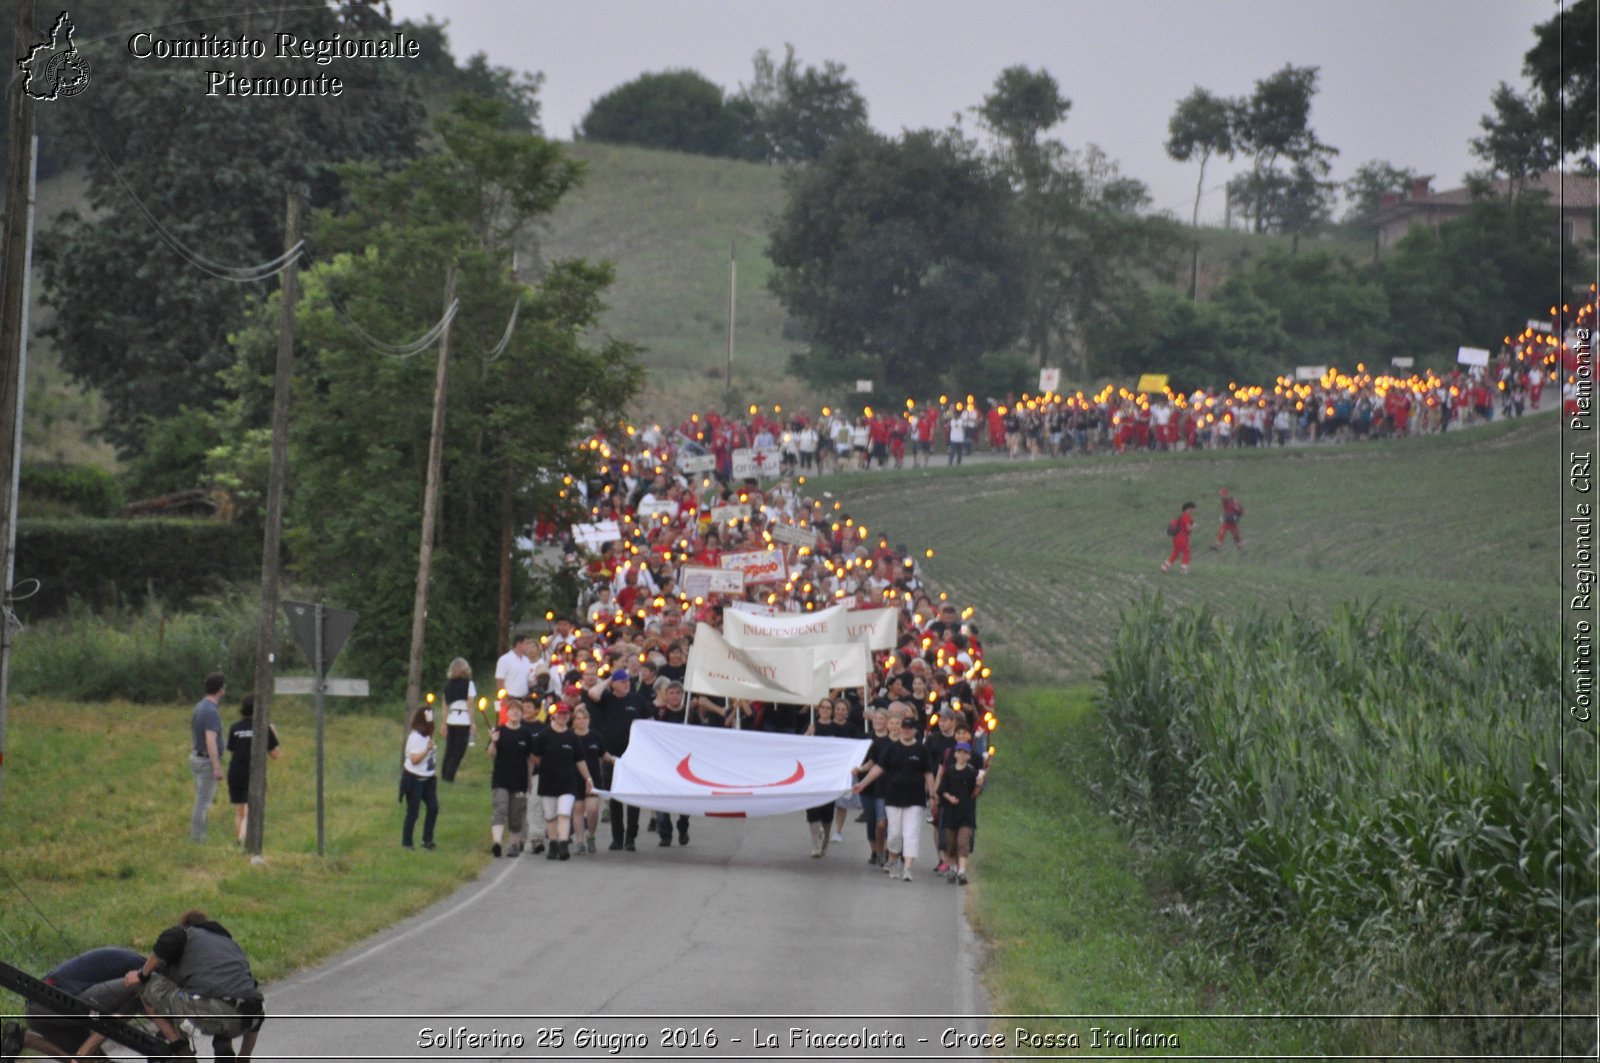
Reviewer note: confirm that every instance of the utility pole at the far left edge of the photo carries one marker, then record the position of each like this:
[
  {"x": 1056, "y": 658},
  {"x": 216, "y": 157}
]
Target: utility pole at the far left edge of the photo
[{"x": 17, "y": 252}]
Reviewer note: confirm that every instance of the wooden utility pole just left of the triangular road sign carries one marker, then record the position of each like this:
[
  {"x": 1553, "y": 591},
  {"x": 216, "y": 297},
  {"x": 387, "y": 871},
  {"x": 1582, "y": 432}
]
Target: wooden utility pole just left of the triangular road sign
[{"x": 266, "y": 632}]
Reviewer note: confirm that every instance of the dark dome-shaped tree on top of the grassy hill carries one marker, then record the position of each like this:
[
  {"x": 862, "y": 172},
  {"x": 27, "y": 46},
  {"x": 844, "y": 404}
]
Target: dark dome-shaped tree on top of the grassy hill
[{"x": 674, "y": 111}]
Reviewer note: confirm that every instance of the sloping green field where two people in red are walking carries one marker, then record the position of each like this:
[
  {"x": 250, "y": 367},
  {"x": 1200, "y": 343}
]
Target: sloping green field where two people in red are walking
[{"x": 1052, "y": 552}]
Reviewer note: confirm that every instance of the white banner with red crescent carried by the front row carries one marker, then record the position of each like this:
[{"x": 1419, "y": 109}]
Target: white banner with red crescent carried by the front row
[{"x": 713, "y": 771}]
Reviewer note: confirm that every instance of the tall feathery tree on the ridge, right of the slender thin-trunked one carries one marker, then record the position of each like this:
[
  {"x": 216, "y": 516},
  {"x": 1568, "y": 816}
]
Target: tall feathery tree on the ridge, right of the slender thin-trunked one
[{"x": 1274, "y": 129}]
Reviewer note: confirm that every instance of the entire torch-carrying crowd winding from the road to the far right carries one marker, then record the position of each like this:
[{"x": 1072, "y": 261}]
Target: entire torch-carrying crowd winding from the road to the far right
[{"x": 663, "y": 503}]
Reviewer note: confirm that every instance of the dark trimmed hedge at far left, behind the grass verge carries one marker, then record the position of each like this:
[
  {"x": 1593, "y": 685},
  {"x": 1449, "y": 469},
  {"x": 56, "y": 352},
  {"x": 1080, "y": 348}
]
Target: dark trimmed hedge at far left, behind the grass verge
[{"x": 129, "y": 563}]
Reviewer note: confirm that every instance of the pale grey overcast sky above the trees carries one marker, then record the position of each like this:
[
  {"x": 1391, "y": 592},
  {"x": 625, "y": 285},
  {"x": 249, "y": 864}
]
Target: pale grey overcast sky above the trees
[{"x": 1404, "y": 81}]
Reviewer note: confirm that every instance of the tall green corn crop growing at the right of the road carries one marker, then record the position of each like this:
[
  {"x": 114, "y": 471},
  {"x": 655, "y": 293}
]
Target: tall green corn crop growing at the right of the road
[{"x": 1391, "y": 814}]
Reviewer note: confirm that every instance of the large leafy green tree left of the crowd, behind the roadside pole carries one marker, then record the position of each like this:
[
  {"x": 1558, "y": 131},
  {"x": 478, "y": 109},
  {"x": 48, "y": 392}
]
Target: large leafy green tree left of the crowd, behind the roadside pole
[{"x": 516, "y": 406}]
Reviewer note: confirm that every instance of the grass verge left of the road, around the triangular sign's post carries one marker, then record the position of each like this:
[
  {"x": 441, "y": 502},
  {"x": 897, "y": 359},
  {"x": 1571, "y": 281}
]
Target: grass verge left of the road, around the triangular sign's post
[{"x": 95, "y": 832}]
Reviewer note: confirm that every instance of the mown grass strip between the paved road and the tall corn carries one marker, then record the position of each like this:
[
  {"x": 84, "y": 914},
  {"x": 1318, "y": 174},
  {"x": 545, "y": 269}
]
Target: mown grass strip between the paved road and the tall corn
[{"x": 1070, "y": 923}]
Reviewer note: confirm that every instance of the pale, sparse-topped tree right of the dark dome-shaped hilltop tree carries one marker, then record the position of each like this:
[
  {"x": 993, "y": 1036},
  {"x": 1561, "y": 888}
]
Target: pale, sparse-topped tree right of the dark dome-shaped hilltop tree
[{"x": 794, "y": 114}]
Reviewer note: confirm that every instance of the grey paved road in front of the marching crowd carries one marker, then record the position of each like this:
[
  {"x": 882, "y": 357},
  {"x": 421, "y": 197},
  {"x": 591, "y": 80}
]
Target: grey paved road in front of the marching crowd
[{"x": 740, "y": 934}]
